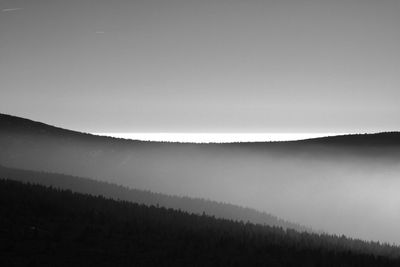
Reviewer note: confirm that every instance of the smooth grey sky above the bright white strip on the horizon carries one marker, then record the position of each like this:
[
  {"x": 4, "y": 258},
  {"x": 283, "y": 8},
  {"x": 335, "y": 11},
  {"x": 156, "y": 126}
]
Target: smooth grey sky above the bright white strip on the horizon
[{"x": 209, "y": 66}]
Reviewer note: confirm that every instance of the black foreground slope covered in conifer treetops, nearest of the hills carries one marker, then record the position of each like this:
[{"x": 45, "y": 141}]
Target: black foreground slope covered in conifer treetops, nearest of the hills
[{"x": 42, "y": 226}]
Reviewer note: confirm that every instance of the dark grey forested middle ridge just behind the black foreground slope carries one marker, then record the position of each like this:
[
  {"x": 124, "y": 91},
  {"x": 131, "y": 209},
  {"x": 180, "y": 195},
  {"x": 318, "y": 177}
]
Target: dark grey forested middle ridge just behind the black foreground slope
[{"x": 191, "y": 205}]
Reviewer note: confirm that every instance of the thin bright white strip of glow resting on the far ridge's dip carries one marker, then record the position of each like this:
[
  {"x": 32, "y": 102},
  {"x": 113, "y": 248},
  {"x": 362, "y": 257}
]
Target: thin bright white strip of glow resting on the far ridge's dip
[{"x": 216, "y": 137}]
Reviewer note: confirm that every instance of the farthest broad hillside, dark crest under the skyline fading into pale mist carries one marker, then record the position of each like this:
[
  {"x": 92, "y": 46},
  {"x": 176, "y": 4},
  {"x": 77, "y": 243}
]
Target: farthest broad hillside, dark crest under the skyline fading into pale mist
[{"x": 340, "y": 185}]
